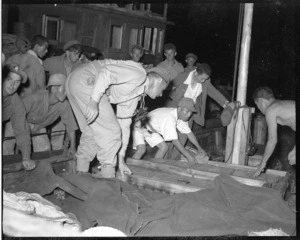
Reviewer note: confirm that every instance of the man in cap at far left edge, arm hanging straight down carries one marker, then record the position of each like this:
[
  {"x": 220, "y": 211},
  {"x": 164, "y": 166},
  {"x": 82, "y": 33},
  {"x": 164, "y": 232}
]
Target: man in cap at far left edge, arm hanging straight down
[{"x": 13, "y": 110}]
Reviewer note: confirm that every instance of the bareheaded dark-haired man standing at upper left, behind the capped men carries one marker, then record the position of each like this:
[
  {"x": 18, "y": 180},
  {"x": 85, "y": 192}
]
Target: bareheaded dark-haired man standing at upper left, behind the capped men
[{"x": 33, "y": 65}]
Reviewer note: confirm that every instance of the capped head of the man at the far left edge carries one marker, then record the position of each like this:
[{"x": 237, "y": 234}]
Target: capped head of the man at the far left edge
[{"x": 12, "y": 76}]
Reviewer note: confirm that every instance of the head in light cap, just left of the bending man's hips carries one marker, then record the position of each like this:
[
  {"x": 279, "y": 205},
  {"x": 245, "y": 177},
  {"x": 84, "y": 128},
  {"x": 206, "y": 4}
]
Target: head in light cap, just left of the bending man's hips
[{"x": 56, "y": 86}]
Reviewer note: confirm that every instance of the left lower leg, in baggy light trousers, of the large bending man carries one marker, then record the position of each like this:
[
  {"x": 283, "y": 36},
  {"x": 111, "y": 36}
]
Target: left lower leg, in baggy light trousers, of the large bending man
[{"x": 86, "y": 150}]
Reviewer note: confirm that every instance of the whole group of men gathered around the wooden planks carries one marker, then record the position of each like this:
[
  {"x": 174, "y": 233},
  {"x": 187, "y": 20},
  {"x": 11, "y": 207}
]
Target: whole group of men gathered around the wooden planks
[{"x": 81, "y": 95}]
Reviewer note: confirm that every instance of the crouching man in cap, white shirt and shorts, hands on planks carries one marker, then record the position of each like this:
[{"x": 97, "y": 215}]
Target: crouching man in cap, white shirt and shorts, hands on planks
[{"x": 162, "y": 126}]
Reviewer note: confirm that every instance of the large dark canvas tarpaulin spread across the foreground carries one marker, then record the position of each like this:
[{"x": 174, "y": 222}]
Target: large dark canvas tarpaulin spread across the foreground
[{"x": 227, "y": 208}]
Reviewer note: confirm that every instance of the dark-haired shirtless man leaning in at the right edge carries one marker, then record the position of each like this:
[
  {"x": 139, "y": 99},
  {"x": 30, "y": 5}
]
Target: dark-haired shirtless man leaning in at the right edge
[{"x": 281, "y": 112}]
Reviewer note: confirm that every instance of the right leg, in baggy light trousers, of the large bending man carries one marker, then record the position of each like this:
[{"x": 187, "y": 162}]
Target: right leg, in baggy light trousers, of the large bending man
[{"x": 107, "y": 134}]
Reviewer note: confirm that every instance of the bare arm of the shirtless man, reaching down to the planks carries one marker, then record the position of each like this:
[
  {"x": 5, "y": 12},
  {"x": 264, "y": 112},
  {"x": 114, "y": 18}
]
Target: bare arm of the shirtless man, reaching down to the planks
[{"x": 272, "y": 139}]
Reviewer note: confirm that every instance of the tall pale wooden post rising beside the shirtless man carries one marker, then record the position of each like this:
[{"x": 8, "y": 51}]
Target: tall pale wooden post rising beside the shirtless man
[{"x": 238, "y": 154}]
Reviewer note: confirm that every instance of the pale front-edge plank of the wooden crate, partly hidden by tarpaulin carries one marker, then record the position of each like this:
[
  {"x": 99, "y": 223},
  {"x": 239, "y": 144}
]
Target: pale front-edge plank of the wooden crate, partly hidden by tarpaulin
[{"x": 191, "y": 172}]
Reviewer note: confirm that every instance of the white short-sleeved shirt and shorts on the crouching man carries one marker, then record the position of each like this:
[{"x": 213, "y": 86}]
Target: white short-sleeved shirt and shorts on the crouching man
[{"x": 165, "y": 123}]
